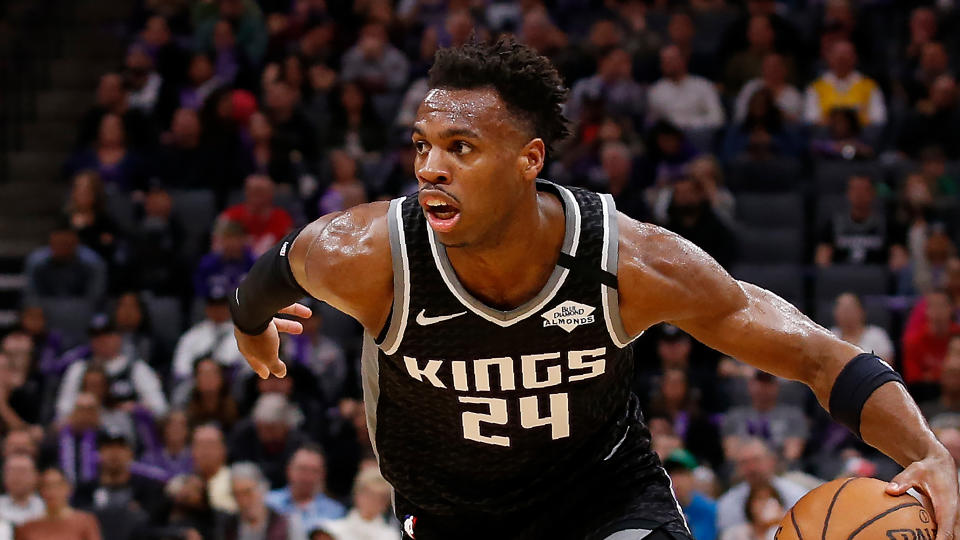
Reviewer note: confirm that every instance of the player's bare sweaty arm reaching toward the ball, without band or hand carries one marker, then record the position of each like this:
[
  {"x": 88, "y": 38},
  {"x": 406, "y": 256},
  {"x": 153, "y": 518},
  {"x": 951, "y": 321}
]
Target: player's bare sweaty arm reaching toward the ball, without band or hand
[{"x": 666, "y": 278}]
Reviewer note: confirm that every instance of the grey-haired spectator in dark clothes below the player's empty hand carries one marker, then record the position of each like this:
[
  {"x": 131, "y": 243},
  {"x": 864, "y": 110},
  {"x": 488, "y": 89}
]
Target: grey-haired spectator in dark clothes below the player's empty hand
[{"x": 269, "y": 437}]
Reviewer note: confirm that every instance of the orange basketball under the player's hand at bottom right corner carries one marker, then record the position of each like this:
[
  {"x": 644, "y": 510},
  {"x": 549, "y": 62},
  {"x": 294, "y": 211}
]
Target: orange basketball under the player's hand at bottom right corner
[{"x": 857, "y": 509}]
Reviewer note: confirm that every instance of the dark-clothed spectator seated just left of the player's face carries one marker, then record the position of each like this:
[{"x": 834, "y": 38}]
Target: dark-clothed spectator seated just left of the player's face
[{"x": 355, "y": 125}]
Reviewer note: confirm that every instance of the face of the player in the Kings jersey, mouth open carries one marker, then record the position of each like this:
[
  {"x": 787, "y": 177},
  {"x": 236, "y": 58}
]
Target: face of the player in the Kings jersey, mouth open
[{"x": 473, "y": 159}]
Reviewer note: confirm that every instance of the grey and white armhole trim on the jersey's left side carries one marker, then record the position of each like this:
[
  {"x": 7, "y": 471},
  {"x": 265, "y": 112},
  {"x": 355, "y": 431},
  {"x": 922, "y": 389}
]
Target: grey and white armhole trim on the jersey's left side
[{"x": 392, "y": 334}]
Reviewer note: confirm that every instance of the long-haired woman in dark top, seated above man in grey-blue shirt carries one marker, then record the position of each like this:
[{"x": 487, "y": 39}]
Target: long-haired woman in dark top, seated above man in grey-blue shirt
[{"x": 88, "y": 216}]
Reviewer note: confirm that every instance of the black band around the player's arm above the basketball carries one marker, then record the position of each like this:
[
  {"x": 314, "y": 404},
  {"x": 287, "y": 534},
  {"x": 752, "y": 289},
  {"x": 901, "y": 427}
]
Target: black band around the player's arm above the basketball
[{"x": 854, "y": 385}]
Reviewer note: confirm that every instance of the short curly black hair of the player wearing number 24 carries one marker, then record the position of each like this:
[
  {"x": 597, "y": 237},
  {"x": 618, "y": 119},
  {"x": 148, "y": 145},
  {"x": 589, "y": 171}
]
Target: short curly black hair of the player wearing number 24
[{"x": 527, "y": 82}]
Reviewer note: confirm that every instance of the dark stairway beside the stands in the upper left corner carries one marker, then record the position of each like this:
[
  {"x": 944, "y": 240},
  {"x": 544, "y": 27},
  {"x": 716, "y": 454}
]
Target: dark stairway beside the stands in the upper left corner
[{"x": 52, "y": 53}]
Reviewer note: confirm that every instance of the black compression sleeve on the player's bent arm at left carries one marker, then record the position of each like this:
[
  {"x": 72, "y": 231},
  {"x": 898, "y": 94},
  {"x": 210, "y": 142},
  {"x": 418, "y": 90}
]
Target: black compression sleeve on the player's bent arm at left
[{"x": 267, "y": 288}]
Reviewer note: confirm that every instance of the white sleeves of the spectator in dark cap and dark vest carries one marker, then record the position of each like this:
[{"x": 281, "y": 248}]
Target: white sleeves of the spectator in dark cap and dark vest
[{"x": 144, "y": 380}]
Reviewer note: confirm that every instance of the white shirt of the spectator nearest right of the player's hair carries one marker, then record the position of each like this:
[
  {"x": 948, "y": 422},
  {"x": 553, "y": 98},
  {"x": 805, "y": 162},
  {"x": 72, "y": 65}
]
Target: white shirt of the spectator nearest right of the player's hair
[{"x": 689, "y": 103}]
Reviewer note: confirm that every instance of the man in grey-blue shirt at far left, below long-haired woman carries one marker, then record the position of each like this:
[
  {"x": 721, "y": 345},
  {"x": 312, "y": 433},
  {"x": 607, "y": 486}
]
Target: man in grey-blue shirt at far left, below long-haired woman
[{"x": 64, "y": 269}]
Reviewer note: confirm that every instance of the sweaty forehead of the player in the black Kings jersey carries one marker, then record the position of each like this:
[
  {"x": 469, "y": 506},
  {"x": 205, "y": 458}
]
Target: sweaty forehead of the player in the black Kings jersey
[{"x": 478, "y": 109}]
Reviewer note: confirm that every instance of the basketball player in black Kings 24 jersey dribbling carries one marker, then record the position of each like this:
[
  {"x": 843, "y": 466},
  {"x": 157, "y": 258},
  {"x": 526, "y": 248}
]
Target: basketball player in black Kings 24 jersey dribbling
[{"x": 497, "y": 309}]
